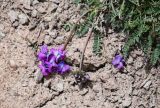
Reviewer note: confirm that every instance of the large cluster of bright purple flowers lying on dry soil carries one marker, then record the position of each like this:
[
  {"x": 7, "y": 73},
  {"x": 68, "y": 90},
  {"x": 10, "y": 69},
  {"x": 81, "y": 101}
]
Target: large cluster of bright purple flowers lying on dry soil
[{"x": 52, "y": 60}]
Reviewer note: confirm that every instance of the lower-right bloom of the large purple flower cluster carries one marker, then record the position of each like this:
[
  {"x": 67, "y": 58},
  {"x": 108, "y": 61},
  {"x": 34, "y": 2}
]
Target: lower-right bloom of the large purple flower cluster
[{"x": 63, "y": 68}]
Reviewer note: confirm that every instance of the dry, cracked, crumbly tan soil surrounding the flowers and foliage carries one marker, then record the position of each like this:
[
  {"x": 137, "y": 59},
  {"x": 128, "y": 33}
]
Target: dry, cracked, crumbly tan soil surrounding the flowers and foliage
[{"x": 109, "y": 88}]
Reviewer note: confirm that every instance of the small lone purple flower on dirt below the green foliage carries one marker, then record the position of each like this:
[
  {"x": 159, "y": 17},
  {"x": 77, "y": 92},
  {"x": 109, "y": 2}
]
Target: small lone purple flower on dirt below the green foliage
[{"x": 118, "y": 62}]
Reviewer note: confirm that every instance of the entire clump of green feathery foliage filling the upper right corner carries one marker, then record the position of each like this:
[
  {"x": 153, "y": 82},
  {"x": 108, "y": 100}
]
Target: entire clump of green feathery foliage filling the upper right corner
[{"x": 138, "y": 19}]
